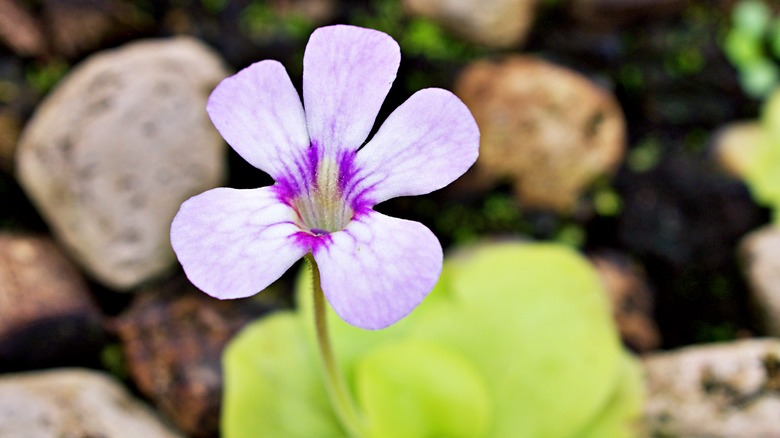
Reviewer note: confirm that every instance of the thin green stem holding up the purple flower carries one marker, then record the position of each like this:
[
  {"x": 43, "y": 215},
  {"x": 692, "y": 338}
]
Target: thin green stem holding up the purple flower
[{"x": 334, "y": 381}]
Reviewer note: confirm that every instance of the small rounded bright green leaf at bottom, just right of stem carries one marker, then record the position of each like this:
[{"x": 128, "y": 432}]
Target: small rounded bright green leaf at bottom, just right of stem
[{"x": 415, "y": 389}]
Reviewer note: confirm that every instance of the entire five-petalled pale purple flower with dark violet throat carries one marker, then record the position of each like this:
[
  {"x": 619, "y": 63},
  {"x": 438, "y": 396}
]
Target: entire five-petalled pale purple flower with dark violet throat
[{"x": 374, "y": 268}]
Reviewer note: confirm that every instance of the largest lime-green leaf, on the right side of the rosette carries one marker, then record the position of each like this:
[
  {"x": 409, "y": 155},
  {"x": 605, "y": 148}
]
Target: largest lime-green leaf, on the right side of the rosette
[{"x": 535, "y": 320}]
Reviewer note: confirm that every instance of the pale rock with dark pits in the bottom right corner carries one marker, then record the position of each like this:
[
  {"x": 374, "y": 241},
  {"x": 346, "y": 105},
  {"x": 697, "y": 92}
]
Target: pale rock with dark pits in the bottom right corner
[{"x": 719, "y": 390}]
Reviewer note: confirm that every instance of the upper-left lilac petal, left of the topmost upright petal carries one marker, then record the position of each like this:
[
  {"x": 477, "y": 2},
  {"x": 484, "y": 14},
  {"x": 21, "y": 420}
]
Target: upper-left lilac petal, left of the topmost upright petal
[{"x": 259, "y": 113}]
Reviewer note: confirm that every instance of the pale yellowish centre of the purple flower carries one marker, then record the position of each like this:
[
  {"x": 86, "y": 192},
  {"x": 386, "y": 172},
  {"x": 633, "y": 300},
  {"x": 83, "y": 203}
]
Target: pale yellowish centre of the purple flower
[{"x": 323, "y": 209}]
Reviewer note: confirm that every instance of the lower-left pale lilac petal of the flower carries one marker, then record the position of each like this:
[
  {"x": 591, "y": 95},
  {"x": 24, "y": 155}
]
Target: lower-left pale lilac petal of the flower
[{"x": 234, "y": 243}]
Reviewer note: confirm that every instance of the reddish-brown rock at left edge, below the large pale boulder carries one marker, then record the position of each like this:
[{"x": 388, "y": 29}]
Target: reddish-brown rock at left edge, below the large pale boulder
[{"x": 46, "y": 315}]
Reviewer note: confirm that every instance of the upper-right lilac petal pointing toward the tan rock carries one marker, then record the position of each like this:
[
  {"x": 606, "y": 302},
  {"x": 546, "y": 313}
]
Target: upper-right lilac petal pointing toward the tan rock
[{"x": 425, "y": 144}]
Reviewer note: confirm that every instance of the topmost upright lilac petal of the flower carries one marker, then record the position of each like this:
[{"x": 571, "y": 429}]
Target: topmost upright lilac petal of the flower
[{"x": 347, "y": 73}]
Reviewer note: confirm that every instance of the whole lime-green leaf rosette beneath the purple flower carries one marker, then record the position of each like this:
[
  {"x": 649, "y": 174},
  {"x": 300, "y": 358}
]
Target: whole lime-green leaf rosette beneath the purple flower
[{"x": 516, "y": 338}]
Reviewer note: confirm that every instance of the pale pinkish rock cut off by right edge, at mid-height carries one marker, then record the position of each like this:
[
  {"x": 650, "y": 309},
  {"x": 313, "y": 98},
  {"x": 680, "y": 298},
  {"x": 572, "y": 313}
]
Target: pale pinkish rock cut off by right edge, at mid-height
[{"x": 760, "y": 253}]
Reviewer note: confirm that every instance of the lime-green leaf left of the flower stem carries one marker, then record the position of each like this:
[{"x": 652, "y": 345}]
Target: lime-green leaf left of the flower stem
[{"x": 273, "y": 384}]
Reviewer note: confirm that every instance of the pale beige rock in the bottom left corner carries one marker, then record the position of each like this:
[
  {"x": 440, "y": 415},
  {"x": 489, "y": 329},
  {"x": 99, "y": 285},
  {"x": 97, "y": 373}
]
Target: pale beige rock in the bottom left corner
[{"x": 73, "y": 403}]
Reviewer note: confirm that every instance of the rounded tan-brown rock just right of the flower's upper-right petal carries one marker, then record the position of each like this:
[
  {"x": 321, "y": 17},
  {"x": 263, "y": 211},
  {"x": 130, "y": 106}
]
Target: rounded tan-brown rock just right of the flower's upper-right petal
[{"x": 547, "y": 130}]
